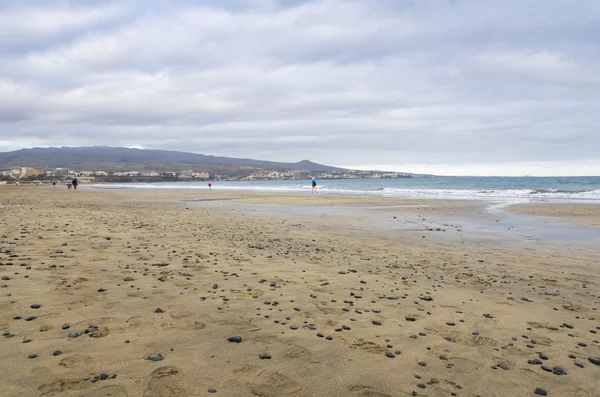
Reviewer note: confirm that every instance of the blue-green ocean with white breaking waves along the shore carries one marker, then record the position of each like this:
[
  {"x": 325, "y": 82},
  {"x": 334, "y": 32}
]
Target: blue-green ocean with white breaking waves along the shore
[{"x": 577, "y": 189}]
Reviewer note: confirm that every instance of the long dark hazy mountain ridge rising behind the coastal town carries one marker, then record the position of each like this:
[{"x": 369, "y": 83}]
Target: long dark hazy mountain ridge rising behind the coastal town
[{"x": 119, "y": 158}]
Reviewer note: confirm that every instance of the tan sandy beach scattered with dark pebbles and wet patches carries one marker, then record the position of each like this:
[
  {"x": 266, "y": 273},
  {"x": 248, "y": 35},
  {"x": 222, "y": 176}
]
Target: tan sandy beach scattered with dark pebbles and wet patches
[{"x": 135, "y": 293}]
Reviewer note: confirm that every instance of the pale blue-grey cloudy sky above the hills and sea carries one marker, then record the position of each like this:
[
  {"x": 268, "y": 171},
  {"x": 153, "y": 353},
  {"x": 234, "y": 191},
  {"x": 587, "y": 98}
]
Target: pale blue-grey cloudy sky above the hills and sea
[{"x": 472, "y": 87}]
